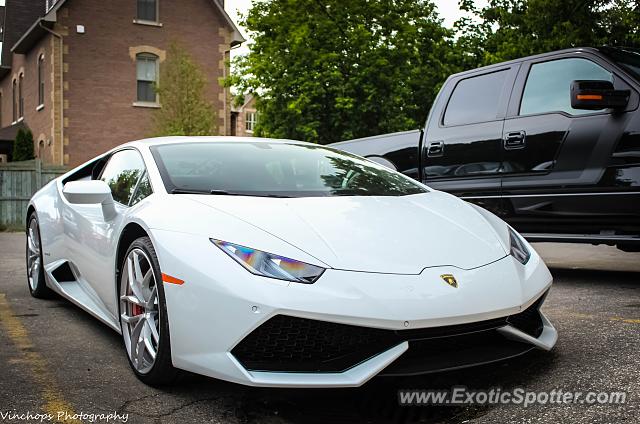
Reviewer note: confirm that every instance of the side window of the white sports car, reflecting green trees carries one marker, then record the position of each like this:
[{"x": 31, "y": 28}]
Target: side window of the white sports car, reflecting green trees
[{"x": 122, "y": 173}]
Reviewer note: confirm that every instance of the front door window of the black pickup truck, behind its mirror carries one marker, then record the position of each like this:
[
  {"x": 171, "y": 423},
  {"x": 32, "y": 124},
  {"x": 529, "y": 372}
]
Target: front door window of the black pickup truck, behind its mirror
[{"x": 549, "y": 83}]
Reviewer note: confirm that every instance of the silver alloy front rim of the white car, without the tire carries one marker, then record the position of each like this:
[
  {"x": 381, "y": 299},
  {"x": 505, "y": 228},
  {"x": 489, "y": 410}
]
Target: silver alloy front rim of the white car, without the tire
[{"x": 140, "y": 319}]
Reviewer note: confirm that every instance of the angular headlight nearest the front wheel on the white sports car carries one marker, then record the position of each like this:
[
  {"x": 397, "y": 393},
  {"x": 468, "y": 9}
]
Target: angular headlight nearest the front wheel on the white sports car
[{"x": 269, "y": 265}]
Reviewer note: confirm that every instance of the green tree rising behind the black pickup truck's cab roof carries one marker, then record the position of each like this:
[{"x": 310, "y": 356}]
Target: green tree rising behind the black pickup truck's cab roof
[{"x": 509, "y": 29}]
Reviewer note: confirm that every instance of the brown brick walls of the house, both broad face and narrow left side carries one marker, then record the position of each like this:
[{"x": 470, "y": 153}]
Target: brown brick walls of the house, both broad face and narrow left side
[{"x": 92, "y": 109}]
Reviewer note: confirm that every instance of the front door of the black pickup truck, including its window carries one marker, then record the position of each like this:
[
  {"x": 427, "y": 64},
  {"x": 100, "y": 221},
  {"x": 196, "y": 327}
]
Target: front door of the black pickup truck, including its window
[{"x": 555, "y": 156}]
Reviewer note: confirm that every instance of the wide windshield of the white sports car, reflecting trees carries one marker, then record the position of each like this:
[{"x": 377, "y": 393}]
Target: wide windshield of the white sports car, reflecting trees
[{"x": 274, "y": 169}]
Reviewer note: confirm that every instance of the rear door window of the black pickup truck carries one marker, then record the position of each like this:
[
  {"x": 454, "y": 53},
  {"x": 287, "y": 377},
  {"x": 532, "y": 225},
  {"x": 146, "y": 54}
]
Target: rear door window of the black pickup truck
[{"x": 475, "y": 99}]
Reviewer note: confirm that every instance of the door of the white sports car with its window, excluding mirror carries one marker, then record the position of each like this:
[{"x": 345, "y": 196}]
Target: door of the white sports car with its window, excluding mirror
[{"x": 91, "y": 239}]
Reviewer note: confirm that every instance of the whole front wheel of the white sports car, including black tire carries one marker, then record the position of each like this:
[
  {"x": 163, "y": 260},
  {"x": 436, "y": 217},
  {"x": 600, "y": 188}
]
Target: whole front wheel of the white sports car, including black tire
[{"x": 143, "y": 315}]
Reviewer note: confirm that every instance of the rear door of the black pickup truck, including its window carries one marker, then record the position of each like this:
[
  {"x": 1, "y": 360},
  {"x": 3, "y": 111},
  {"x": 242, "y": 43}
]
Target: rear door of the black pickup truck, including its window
[{"x": 462, "y": 151}]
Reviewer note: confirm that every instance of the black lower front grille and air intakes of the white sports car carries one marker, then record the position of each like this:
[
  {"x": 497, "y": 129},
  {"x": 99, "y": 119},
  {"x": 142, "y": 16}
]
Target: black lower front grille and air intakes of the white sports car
[{"x": 292, "y": 344}]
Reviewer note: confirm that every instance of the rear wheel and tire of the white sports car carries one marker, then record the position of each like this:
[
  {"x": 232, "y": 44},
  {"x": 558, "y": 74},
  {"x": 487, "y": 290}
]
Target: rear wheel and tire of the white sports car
[{"x": 35, "y": 269}]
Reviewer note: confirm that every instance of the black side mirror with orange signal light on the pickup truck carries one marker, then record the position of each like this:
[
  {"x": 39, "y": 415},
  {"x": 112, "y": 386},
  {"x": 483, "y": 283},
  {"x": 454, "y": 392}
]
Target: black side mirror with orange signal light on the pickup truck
[{"x": 596, "y": 95}]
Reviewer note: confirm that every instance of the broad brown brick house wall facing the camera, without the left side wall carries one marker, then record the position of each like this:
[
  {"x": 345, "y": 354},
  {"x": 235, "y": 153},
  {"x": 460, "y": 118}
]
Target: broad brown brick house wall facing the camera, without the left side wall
[{"x": 100, "y": 72}]
